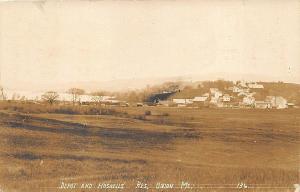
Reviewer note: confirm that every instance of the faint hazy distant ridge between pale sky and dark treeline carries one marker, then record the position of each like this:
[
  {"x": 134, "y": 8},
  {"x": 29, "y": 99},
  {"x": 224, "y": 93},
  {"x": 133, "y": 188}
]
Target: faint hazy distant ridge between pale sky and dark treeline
[{"x": 121, "y": 85}]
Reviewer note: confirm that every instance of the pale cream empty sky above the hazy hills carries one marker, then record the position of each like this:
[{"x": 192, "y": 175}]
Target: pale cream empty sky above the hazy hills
[{"x": 51, "y": 43}]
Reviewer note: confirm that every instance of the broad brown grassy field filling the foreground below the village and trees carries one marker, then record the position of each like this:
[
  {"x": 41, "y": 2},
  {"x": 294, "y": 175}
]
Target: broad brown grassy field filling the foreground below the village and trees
[{"x": 211, "y": 148}]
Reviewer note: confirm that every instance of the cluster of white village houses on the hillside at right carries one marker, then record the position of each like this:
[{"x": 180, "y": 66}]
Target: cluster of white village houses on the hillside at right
[{"x": 241, "y": 95}]
